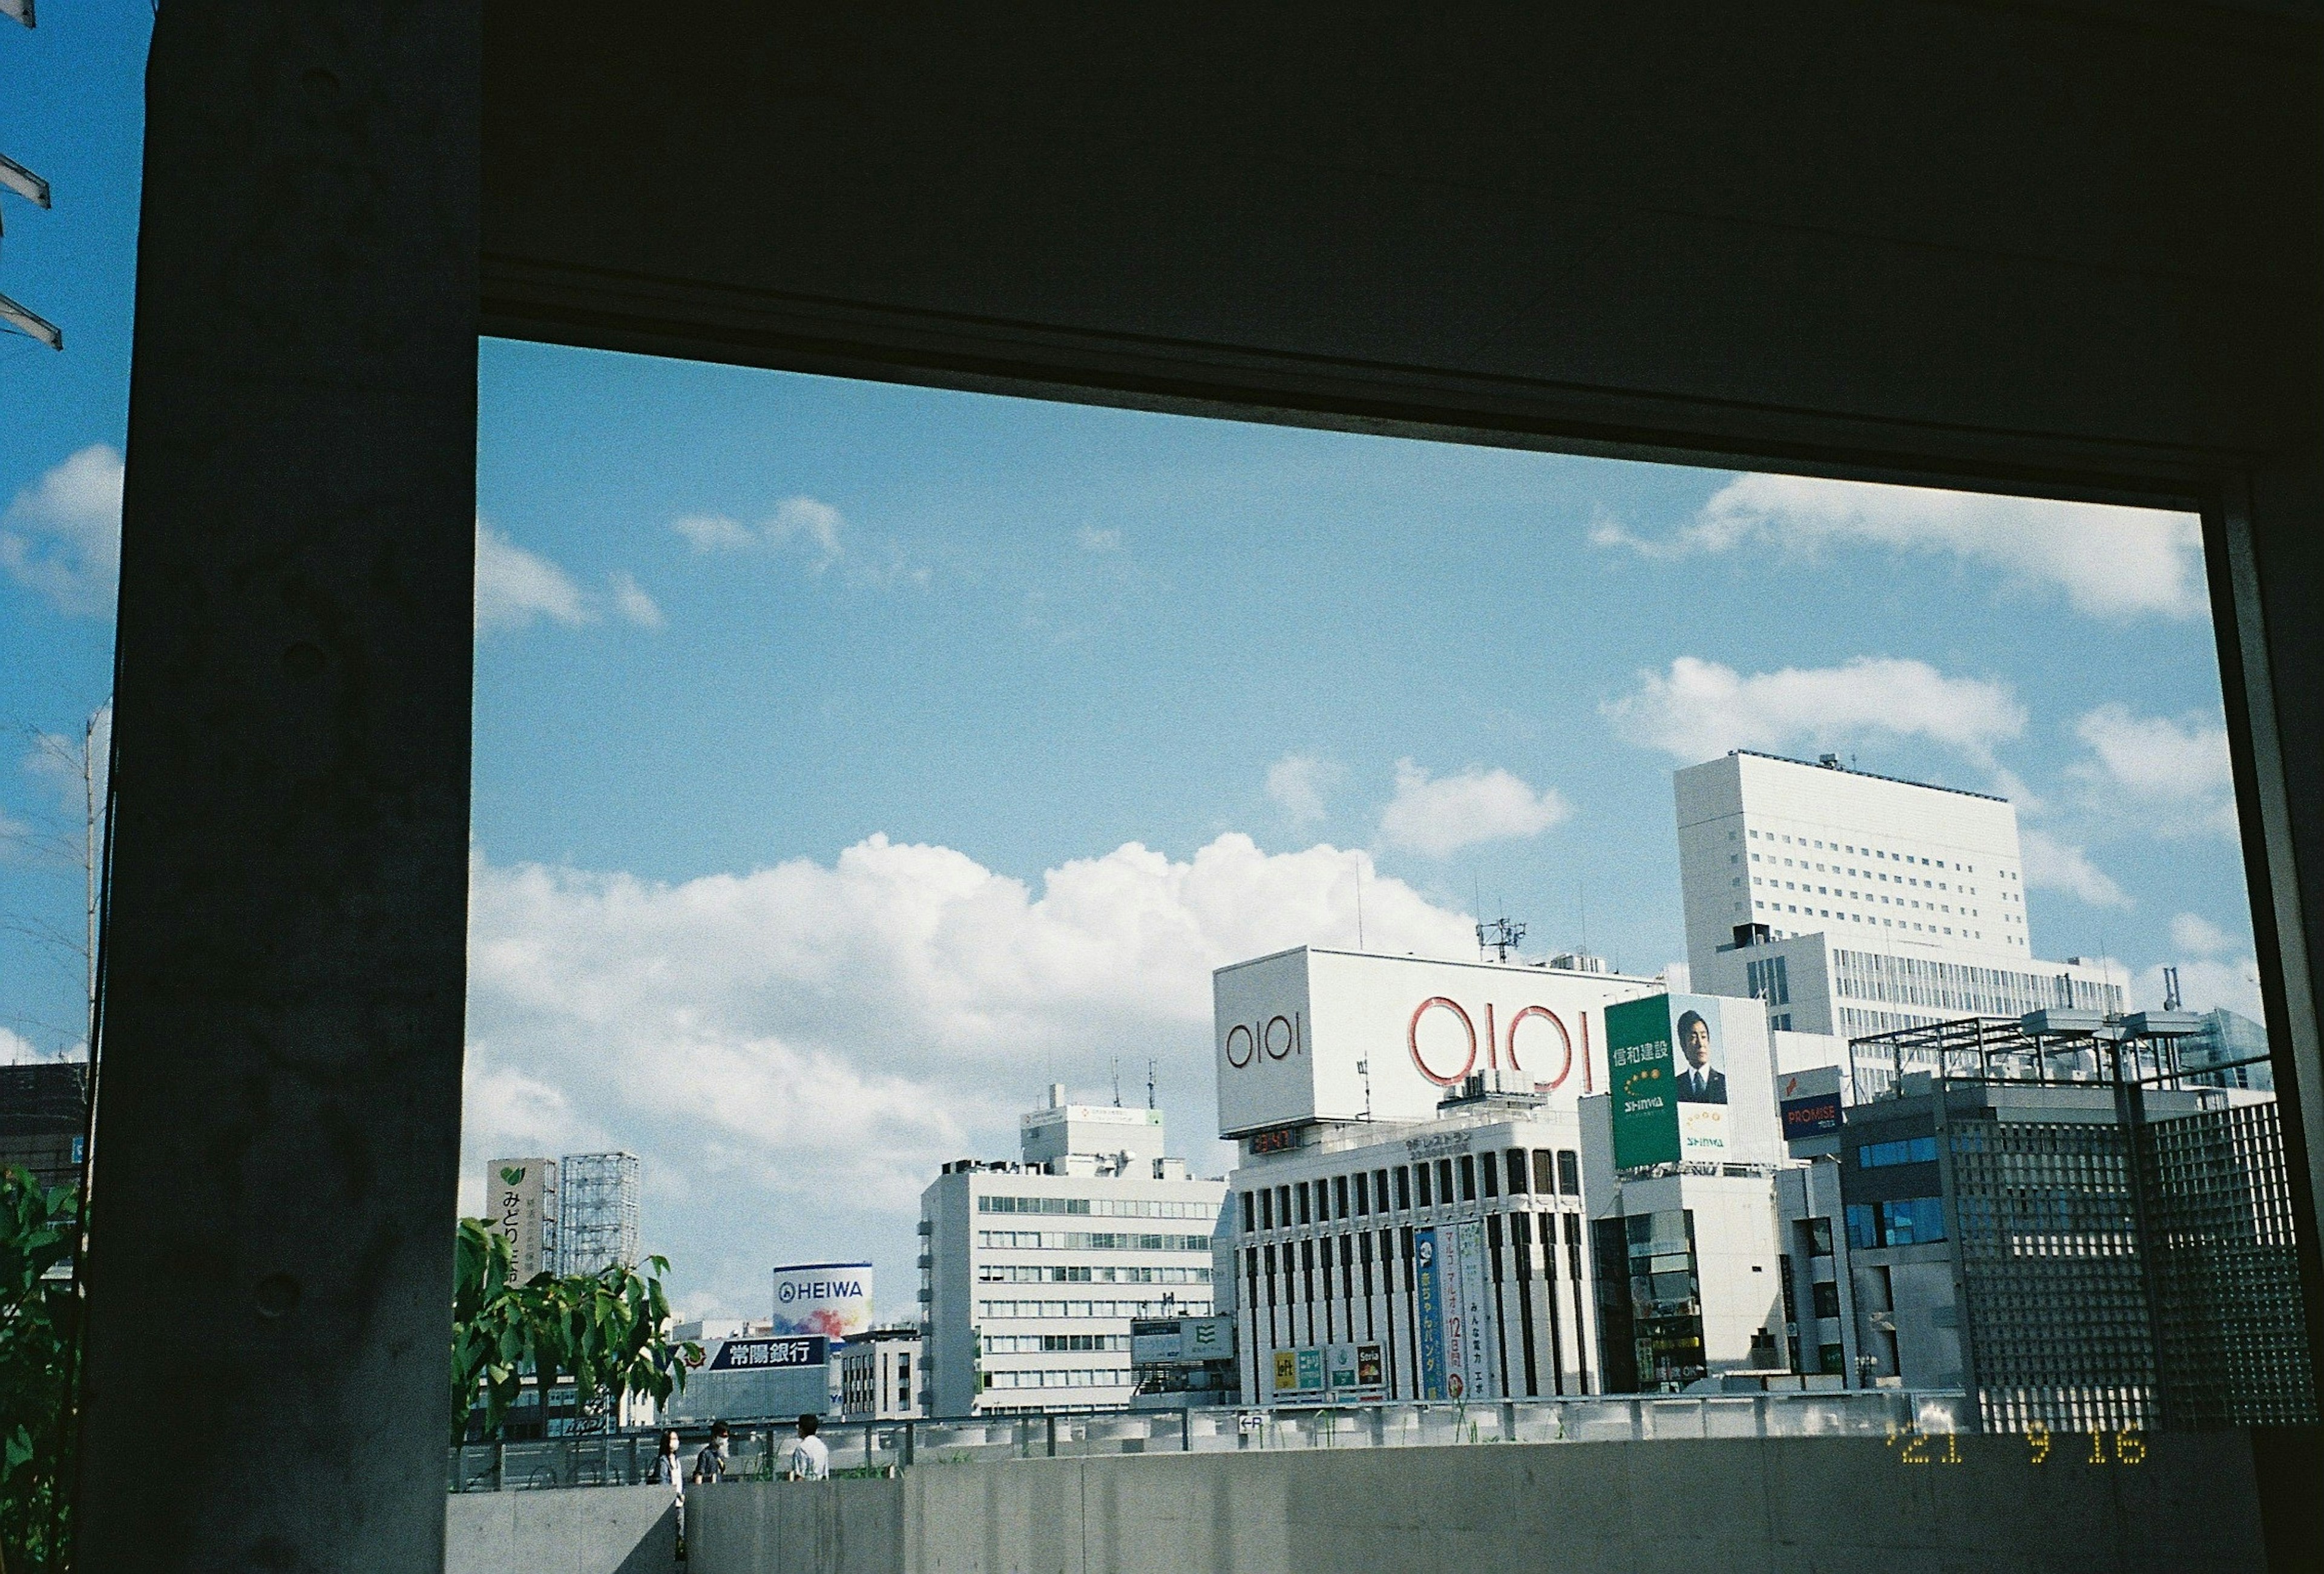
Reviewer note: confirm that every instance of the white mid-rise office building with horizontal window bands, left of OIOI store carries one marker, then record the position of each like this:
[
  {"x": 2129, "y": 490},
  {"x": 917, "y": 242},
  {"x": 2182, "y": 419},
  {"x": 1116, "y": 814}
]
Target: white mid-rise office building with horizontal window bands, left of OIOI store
[{"x": 1035, "y": 1268}]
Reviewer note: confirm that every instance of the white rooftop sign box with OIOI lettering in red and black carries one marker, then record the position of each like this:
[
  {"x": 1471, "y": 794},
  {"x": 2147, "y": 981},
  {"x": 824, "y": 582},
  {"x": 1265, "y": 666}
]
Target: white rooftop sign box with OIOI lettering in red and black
[{"x": 1335, "y": 1036}]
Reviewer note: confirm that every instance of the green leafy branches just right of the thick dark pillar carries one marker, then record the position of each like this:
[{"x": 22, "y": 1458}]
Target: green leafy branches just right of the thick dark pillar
[{"x": 608, "y": 1331}]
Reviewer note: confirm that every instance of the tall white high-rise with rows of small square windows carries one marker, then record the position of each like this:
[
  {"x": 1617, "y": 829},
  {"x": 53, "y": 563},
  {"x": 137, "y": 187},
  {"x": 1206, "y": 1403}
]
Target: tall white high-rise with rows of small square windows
[{"x": 1856, "y": 903}]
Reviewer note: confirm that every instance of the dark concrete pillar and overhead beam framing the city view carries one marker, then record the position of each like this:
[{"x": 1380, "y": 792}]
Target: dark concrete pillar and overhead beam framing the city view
[{"x": 2065, "y": 250}]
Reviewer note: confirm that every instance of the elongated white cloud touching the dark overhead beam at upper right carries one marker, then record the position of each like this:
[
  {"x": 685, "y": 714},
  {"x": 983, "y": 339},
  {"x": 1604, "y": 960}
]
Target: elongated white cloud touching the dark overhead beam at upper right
[{"x": 2104, "y": 559}]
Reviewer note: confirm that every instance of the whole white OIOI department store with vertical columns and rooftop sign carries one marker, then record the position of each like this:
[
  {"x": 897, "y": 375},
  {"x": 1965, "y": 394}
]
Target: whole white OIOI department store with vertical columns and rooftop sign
[{"x": 1384, "y": 1243}]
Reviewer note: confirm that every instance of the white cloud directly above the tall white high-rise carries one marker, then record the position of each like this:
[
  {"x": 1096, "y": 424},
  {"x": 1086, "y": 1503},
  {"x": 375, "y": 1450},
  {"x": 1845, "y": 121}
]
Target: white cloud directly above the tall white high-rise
[{"x": 1702, "y": 710}]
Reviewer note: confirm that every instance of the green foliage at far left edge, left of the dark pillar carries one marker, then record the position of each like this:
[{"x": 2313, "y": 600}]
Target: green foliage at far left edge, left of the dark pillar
[{"x": 36, "y": 1368}]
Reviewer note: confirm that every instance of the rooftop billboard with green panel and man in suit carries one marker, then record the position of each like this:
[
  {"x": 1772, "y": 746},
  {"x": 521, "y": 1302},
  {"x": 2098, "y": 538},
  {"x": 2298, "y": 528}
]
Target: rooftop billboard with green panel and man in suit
[{"x": 1691, "y": 1082}]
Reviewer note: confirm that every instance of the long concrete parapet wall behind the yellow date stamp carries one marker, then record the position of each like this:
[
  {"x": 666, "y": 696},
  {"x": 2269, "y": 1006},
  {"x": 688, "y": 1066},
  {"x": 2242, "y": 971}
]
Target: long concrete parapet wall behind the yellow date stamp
[{"x": 2179, "y": 1503}]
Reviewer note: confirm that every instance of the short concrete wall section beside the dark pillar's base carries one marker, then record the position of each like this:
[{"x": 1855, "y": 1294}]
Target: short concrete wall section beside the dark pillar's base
[{"x": 584, "y": 1531}]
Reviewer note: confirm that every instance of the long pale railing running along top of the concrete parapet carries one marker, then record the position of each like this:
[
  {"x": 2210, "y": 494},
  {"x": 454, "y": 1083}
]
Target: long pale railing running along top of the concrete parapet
[{"x": 877, "y": 1447}]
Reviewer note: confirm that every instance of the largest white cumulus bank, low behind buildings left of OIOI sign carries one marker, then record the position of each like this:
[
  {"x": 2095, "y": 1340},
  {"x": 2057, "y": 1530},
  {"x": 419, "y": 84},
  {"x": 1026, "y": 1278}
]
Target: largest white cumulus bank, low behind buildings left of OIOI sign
[{"x": 796, "y": 1050}]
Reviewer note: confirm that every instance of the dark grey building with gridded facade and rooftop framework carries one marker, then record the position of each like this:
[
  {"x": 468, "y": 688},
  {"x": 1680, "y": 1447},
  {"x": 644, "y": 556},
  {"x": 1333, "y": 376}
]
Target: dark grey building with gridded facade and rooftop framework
[{"x": 2074, "y": 1252}]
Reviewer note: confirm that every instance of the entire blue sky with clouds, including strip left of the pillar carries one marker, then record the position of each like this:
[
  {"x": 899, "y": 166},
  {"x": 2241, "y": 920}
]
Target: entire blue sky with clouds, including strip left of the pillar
[{"x": 856, "y": 759}]
